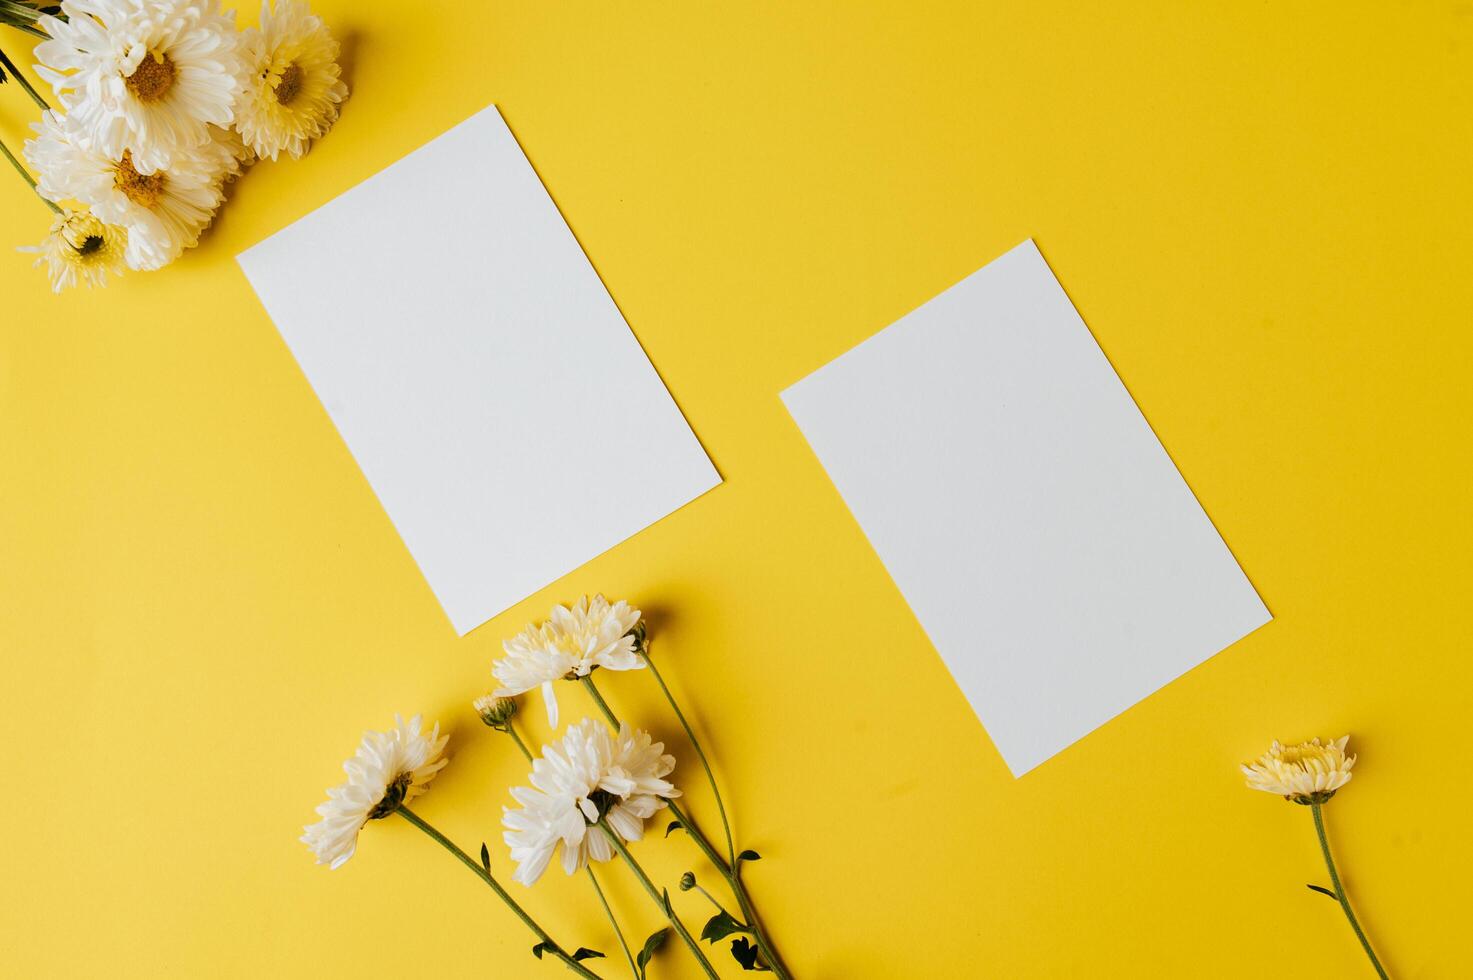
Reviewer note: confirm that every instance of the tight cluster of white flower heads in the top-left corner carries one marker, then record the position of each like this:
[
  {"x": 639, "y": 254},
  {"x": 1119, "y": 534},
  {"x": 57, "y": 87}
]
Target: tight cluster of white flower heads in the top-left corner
[{"x": 164, "y": 104}]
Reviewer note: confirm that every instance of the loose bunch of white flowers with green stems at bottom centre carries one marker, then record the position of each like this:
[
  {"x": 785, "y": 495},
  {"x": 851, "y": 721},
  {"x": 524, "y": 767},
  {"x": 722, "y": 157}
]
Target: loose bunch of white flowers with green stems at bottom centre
[{"x": 590, "y": 795}]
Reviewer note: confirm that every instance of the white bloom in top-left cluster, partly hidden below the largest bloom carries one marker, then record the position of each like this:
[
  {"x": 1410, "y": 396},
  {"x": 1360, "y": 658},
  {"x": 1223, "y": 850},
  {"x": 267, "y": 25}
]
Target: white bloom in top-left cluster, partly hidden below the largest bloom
[{"x": 164, "y": 211}]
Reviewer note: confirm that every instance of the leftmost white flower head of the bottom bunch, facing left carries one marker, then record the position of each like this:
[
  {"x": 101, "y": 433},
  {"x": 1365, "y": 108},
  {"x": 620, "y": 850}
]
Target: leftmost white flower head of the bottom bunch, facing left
[{"x": 390, "y": 770}]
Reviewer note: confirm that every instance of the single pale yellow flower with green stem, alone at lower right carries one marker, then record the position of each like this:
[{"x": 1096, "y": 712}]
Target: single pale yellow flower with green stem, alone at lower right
[{"x": 1312, "y": 774}]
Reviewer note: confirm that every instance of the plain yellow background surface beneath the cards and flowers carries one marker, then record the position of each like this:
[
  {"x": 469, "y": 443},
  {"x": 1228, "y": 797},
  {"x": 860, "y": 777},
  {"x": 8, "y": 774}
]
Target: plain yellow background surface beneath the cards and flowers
[{"x": 1263, "y": 211}]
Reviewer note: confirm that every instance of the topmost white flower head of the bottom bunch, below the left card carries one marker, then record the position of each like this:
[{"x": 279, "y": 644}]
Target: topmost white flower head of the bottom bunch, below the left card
[{"x": 569, "y": 646}]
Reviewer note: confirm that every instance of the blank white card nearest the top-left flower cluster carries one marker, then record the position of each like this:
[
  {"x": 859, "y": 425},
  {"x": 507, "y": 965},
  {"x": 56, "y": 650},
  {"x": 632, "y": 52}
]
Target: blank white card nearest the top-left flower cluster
[{"x": 478, "y": 371}]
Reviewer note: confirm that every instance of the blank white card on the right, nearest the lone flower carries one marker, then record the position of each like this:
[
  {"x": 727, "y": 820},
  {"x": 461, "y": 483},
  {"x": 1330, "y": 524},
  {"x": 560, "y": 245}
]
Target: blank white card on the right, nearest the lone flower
[{"x": 1024, "y": 508}]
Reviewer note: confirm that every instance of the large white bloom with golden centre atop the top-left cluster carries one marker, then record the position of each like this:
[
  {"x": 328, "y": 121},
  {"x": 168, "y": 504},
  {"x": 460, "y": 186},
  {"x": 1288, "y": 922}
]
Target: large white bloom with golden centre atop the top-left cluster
[{"x": 145, "y": 77}]
